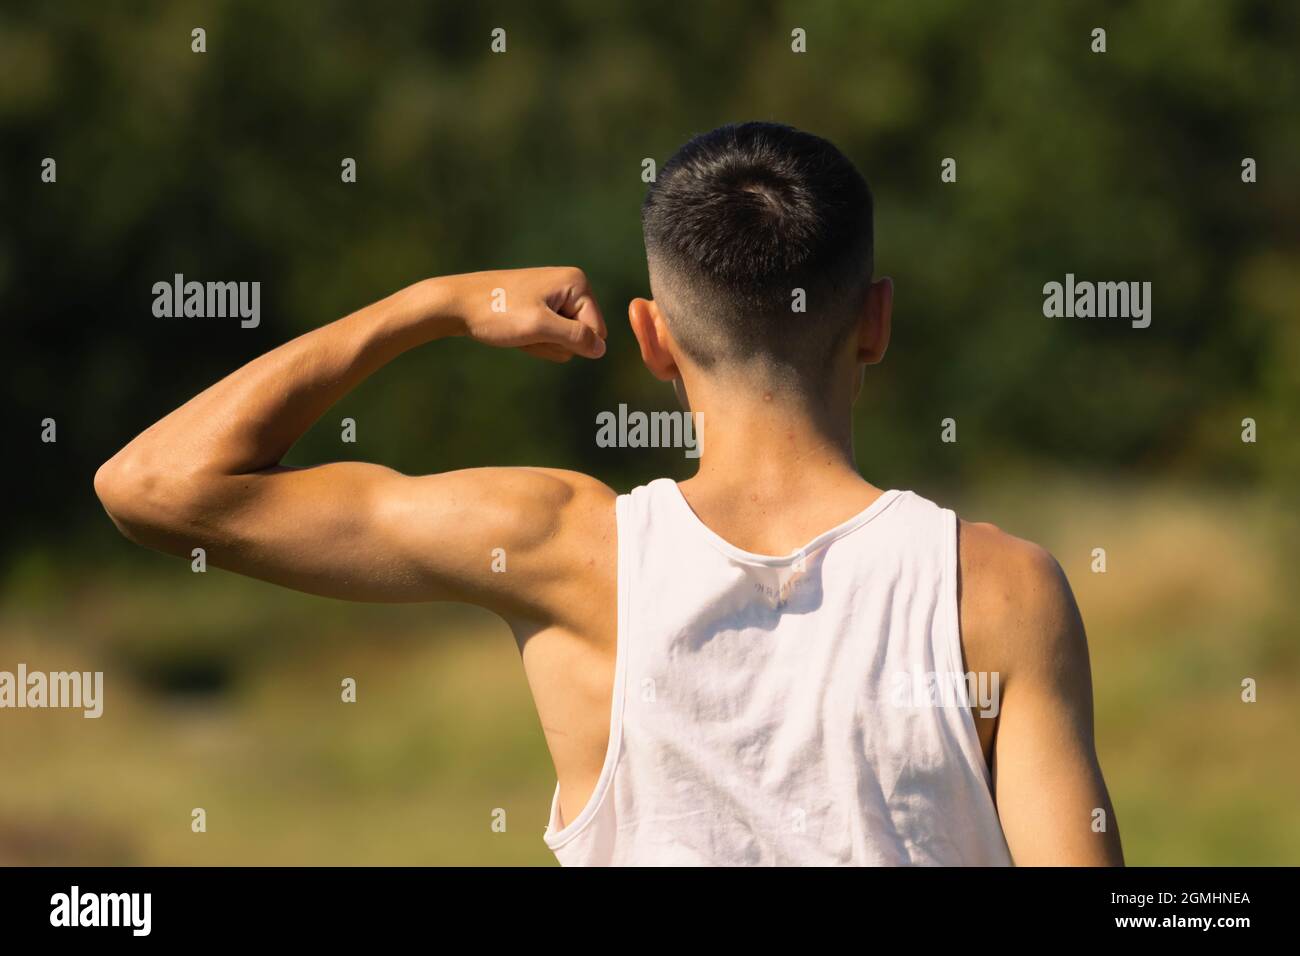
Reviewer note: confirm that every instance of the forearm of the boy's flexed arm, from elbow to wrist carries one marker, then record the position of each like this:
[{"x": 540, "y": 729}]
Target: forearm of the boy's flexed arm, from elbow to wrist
[{"x": 250, "y": 419}]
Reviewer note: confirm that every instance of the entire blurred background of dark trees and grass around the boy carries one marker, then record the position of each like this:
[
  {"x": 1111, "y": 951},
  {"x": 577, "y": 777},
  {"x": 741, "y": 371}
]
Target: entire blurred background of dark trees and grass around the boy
[{"x": 224, "y": 694}]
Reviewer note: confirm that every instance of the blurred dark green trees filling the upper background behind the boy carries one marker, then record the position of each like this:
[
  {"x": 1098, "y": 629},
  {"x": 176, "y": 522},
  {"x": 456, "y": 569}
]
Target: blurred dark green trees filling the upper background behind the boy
[{"x": 1124, "y": 166}]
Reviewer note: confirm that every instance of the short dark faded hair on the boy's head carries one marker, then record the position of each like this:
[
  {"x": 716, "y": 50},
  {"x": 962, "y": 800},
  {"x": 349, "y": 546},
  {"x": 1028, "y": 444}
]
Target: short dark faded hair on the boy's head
[{"x": 735, "y": 223}]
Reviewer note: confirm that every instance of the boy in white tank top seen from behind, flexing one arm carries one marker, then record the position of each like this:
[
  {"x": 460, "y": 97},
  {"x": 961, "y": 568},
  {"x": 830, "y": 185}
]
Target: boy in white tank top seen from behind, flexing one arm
[{"x": 746, "y": 668}]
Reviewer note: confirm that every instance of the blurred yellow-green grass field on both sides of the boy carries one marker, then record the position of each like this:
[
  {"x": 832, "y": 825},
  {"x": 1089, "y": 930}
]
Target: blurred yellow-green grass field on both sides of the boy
[{"x": 226, "y": 695}]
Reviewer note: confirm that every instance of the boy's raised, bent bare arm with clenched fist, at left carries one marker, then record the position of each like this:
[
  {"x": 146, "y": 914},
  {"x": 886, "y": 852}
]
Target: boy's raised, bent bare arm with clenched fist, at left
[{"x": 209, "y": 475}]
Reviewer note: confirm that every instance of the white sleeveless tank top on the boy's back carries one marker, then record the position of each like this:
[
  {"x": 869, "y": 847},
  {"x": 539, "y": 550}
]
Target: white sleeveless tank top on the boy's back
[{"x": 782, "y": 711}]
